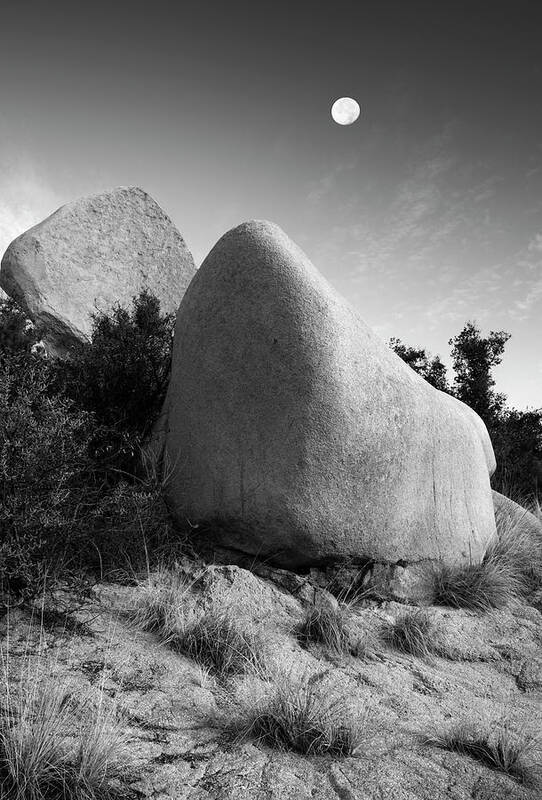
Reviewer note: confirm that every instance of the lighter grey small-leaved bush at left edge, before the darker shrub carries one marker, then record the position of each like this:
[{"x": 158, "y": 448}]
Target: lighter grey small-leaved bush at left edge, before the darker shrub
[{"x": 43, "y": 468}]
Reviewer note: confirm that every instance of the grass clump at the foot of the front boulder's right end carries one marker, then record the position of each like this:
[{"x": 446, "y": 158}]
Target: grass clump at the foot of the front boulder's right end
[{"x": 477, "y": 587}]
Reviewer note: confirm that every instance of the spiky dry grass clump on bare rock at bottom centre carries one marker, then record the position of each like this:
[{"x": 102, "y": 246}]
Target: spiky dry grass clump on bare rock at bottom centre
[{"x": 298, "y": 716}]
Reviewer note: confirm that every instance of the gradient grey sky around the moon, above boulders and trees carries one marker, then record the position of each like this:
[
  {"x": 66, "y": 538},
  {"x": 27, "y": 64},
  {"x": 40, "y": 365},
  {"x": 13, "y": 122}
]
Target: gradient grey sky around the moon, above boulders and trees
[{"x": 425, "y": 214}]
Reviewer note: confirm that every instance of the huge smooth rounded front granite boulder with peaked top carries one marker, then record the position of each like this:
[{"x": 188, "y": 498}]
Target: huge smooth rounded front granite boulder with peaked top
[{"x": 297, "y": 434}]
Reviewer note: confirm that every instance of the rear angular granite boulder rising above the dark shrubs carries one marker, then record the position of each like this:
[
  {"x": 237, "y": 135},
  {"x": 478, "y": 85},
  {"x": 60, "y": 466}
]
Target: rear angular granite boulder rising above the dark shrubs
[{"x": 91, "y": 254}]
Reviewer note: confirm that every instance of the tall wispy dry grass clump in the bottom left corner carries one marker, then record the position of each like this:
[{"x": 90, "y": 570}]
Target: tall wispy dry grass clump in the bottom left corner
[{"x": 43, "y": 753}]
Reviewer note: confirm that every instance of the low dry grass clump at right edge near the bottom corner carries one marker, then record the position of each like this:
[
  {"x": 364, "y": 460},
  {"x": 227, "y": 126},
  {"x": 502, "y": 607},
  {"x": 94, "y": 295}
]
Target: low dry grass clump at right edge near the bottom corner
[{"x": 504, "y": 750}]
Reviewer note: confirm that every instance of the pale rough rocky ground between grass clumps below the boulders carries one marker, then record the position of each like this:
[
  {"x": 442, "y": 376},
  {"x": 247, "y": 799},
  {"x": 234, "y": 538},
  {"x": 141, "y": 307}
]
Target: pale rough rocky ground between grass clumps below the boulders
[{"x": 175, "y": 716}]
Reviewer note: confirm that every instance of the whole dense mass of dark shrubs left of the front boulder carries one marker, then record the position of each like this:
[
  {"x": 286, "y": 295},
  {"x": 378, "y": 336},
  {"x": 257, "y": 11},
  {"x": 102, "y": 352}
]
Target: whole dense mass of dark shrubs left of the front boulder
[{"x": 65, "y": 502}]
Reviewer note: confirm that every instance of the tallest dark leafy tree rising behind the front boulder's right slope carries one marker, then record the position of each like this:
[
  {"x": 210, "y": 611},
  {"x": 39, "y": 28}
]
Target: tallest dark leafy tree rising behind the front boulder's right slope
[{"x": 473, "y": 359}]
